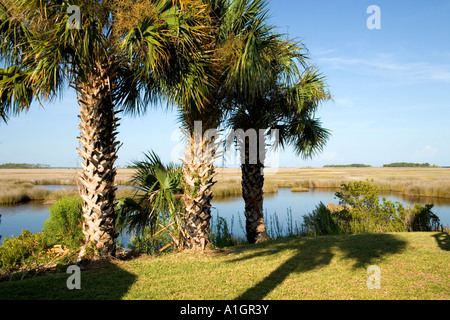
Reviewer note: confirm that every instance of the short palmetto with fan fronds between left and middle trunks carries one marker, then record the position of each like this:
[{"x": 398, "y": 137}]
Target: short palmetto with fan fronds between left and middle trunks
[{"x": 157, "y": 204}]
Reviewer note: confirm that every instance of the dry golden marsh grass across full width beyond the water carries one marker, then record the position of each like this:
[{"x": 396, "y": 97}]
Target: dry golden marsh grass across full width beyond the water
[{"x": 17, "y": 185}]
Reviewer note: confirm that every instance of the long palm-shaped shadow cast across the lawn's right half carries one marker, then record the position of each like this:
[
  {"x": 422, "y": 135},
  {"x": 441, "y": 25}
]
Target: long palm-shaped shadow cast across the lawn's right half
[{"x": 312, "y": 253}]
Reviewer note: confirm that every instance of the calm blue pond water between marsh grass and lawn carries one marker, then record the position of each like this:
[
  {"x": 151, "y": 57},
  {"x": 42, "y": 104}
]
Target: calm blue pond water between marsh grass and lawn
[{"x": 31, "y": 216}]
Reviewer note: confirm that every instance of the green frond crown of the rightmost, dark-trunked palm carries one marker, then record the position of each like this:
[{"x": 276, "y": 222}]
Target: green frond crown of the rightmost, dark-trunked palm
[{"x": 292, "y": 91}]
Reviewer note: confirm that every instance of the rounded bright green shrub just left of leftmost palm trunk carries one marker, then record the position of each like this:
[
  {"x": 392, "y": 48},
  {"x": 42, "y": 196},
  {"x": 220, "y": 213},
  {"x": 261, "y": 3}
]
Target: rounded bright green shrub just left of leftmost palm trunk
[{"x": 64, "y": 226}]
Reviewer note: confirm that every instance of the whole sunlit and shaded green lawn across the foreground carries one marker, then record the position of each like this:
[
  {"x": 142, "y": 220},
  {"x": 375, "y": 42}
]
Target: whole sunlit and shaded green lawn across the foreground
[{"x": 413, "y": 266}]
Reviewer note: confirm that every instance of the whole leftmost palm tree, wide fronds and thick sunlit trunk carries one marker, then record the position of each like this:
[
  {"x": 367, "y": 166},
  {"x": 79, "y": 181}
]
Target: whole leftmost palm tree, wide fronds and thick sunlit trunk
[{"x": 122, "y": 56}]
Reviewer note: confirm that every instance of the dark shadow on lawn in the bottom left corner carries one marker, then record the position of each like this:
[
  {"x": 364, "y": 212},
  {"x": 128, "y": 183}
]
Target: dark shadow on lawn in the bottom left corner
[{"x": 104, "y": 282}]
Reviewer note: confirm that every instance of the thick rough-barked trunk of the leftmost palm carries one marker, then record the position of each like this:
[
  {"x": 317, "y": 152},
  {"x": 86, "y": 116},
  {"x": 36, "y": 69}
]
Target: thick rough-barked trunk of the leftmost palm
[{"x": 98, "y": 151}]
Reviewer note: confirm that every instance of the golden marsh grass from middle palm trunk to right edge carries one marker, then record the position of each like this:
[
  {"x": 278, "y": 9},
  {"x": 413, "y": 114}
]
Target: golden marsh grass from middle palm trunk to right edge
[{"x": 407, "y": 182}]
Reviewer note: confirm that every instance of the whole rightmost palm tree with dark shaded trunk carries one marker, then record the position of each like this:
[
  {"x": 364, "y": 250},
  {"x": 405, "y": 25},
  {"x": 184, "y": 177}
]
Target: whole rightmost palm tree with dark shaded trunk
[{"x": 288, "y": 105}]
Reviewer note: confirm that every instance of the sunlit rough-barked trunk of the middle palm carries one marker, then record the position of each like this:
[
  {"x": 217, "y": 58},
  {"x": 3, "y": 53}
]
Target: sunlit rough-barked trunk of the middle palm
[{"x": 199, "y": 173}]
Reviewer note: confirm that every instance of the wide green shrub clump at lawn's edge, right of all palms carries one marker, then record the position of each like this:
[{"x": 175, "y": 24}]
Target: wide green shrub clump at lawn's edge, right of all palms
[{"x": 360, "y": 210}]
